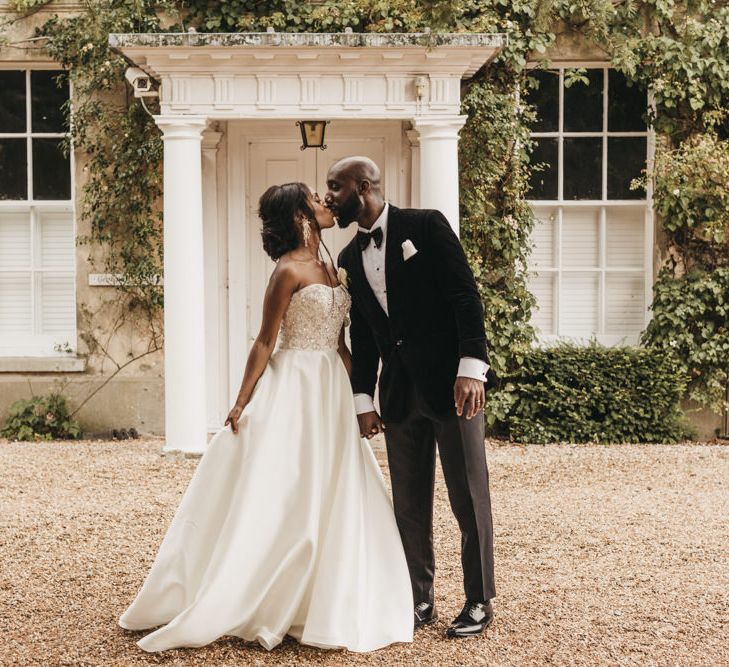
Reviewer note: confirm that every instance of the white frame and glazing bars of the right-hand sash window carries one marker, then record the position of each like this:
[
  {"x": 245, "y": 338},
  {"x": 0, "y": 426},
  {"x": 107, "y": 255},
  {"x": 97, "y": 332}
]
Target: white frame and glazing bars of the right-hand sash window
[{"x": 561, "y": 205}]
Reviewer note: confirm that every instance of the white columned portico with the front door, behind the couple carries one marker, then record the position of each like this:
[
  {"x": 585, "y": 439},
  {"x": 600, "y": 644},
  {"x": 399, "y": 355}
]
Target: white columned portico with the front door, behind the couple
[{"x": 229, "y": 103}]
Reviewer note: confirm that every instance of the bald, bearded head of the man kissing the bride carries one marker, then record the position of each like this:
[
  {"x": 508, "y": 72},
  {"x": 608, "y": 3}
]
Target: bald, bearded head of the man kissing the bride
[{"x": 354, "y": 191}]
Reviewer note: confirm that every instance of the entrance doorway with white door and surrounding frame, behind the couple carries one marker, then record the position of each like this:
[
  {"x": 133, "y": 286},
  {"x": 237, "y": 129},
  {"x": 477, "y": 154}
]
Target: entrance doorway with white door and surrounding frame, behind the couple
[{"x": 264, "y": 154}]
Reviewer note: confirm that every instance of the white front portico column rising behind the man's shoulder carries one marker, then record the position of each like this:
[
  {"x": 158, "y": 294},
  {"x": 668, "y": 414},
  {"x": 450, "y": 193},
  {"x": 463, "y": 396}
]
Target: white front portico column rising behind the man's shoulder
[{"x": 439, "y": 164}]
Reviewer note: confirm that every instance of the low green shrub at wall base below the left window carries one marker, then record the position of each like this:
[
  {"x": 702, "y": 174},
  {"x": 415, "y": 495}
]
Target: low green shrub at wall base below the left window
[{"x": 41, "y": 418}]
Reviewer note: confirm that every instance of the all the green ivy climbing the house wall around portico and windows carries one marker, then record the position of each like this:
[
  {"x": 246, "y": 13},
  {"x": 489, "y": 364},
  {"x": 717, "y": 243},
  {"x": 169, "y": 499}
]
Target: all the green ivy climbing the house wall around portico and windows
[{"x": 675, "y": 49}]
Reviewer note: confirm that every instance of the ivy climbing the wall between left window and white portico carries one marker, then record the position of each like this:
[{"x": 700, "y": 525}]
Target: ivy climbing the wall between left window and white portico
[{"x": 118, "y": 143}]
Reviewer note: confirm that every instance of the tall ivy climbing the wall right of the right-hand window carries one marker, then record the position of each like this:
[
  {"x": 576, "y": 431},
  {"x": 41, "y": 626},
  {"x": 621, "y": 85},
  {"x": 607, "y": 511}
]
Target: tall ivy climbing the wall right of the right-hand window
[{"x": 682, "y": 60}]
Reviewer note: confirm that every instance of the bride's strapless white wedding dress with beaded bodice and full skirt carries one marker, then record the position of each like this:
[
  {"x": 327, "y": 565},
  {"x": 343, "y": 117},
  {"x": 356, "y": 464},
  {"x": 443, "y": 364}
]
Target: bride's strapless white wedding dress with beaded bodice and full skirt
[{"x": 285, "y": 527}]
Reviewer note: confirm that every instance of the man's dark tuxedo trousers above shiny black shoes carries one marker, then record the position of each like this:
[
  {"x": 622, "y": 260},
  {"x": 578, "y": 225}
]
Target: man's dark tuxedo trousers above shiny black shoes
[{"x": 411, "y": 456}]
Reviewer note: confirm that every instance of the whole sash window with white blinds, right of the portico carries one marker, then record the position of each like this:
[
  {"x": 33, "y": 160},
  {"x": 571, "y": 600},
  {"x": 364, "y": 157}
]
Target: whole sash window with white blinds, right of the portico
[{"x": 590, "y": 268}]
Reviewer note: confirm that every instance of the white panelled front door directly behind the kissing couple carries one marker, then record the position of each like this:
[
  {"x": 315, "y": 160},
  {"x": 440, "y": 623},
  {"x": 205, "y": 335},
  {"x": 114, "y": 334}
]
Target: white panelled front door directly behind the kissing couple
[{"x": 278, "y": 163}]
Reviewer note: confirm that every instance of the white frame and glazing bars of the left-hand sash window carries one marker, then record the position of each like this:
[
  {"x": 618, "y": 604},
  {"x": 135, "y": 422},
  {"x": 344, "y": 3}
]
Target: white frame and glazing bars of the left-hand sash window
[{"x": 37, "y": 344}]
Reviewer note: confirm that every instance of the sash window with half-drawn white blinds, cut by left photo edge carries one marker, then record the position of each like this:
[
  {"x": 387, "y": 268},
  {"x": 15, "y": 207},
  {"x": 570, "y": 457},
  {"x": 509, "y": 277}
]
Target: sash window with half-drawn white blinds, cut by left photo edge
[{"x": 37, "y": 266}]
